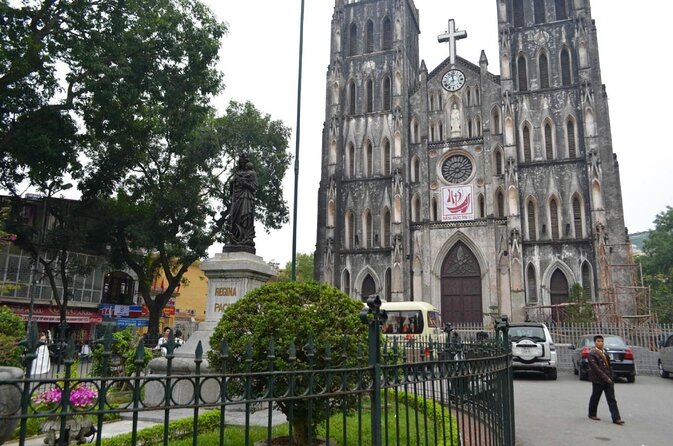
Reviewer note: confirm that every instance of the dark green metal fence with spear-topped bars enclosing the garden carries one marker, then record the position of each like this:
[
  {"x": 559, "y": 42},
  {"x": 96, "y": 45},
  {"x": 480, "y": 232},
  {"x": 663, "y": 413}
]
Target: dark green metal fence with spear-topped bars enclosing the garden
[{"x": 400, "y": 392}]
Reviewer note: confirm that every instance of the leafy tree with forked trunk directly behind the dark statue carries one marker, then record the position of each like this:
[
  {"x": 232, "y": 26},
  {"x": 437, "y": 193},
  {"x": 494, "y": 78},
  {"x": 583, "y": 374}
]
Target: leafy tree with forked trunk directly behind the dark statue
[{"x": 173, "y": 205}]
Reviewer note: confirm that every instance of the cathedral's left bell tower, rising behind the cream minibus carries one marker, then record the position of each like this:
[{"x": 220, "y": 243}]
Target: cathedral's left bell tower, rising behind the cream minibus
[{"x": 362, "y": 212}]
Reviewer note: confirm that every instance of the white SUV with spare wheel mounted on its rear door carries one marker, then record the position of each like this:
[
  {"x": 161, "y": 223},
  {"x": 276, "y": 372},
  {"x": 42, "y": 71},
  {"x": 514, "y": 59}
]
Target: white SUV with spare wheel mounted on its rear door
[{"x": 533, "y": 348}]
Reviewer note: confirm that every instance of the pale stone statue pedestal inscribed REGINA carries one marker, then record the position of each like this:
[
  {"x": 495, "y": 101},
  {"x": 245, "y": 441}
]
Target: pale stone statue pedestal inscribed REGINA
[{"x": 231, "y": 275}]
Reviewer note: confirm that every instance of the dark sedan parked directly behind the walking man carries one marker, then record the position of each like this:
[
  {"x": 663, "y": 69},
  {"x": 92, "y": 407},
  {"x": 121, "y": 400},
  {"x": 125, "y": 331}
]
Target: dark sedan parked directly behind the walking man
[{"x": 621, "y": 357}]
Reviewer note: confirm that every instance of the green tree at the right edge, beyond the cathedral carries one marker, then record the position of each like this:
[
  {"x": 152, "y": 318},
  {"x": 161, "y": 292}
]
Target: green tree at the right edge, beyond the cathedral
[{"x": 657, "y": 263}]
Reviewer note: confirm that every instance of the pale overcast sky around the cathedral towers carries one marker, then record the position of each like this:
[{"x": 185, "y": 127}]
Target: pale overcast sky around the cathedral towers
[{"x": 259, "y": 59}]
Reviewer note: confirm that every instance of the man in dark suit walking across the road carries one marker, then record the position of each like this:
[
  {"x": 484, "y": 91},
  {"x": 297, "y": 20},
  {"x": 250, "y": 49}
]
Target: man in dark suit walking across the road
[{"x": 600, "y": 374}]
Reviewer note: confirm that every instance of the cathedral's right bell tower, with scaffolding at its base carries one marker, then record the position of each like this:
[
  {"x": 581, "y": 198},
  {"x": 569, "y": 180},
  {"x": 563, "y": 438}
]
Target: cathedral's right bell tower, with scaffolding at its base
[{"x": 557, "y": 137}]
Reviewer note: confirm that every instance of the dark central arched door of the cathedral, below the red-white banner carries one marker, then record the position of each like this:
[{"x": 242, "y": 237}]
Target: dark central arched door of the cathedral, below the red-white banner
[{"x": 461, "y": 286}]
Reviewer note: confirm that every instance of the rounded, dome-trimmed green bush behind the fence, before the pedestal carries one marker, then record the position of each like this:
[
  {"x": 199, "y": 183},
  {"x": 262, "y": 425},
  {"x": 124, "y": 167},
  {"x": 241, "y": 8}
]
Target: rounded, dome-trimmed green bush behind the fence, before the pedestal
[{"x": 292, "y": 313}]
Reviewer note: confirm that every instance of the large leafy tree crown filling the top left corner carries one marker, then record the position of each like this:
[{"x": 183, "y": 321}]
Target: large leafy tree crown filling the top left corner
[{"x": 81, "y": 74}]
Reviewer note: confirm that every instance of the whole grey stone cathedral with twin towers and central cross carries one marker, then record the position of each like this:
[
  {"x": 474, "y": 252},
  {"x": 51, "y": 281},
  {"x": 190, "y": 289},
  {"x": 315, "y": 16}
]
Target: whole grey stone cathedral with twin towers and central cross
[{"x": 482, "y": 194}]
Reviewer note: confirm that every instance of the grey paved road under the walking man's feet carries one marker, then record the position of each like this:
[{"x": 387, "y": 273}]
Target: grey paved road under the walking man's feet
[{"x": 550, "y": 413}]
